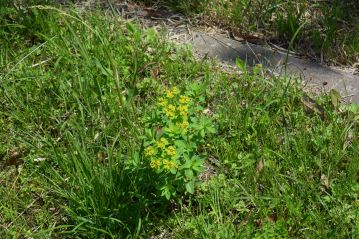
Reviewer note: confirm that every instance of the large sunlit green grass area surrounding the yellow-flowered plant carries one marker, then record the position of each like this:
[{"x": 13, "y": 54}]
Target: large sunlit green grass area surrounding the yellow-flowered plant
[{"x": 75, "y": 91}]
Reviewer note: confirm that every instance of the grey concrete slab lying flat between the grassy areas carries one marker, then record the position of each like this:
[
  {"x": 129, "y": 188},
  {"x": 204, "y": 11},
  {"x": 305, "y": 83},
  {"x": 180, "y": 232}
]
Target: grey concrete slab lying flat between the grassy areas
[{"x": 228, "y": 50}]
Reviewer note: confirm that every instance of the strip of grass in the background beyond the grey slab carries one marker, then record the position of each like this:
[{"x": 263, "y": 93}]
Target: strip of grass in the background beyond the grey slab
[{"x": 327, "y": 30}]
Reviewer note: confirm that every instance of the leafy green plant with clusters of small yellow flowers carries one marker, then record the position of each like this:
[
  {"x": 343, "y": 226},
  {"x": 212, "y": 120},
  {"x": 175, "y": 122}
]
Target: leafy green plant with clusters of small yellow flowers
[{"x": 174, "y": 131}]
